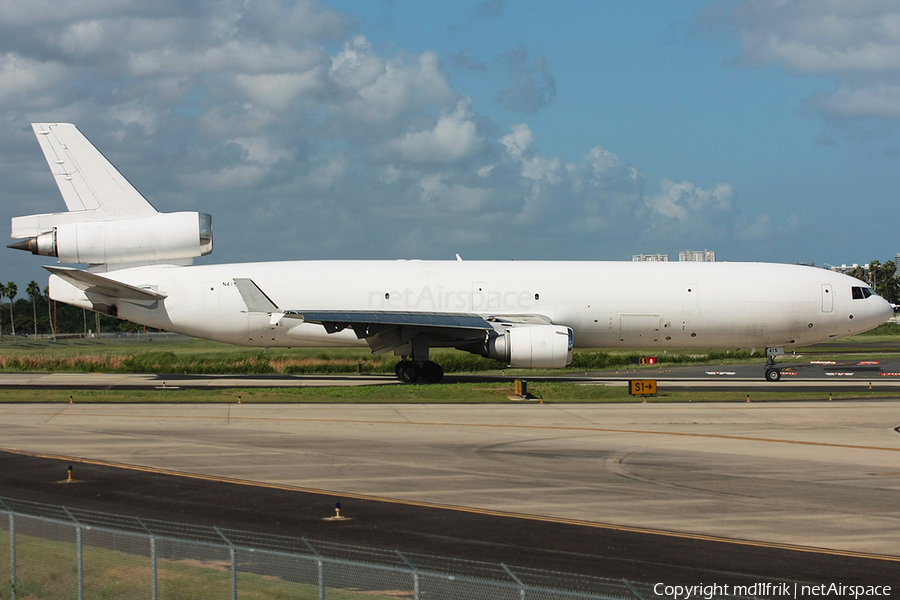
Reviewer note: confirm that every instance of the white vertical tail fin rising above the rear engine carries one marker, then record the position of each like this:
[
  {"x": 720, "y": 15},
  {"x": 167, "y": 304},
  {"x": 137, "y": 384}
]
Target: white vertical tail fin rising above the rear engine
[{"x": 86, "y": 179}]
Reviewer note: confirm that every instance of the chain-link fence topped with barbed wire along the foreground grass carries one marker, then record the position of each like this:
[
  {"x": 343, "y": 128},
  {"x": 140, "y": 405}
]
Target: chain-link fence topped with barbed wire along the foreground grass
[{"x": 55, "y": 552}]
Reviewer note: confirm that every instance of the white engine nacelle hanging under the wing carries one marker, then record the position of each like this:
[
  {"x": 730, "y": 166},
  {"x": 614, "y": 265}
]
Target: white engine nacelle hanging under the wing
[{"x": 533, "y": 346}]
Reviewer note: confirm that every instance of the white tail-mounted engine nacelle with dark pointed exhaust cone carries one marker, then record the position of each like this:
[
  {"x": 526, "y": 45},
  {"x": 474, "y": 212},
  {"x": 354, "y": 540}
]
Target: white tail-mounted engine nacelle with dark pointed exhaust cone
[{"x": 161, "y": 237}]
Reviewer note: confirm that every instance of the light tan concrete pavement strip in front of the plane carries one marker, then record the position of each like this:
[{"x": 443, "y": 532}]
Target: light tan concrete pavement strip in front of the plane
[{"x": 818, "y": 477}]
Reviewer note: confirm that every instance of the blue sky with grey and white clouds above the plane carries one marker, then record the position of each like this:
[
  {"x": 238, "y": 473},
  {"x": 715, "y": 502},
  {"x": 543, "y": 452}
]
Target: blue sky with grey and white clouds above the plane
[{"x": 764, "y": 130}]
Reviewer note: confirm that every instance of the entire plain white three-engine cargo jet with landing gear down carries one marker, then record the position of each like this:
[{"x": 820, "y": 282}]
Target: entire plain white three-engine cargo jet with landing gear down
[{"x": 525, "y": 313}]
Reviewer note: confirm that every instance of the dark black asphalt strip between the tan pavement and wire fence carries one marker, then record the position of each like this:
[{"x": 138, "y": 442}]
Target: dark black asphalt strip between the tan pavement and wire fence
[{"x": 522, "y": 542}]
